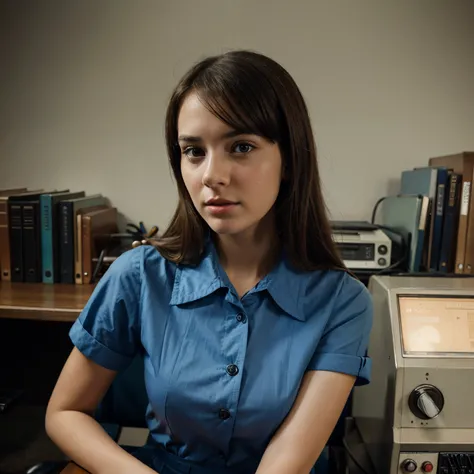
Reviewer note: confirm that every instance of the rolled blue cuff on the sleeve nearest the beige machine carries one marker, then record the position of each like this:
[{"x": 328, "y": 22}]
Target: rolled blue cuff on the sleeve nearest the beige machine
[{"x": 344, "y": 363}]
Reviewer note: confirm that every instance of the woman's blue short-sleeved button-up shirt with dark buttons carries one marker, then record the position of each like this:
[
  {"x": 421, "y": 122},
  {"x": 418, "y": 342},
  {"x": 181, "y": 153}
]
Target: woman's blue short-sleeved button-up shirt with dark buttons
[{"x": 222, "y": 372}]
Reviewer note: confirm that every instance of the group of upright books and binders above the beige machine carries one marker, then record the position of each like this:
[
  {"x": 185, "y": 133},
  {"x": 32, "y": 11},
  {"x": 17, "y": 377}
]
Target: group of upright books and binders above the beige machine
[{"x": 435, "y": 208}]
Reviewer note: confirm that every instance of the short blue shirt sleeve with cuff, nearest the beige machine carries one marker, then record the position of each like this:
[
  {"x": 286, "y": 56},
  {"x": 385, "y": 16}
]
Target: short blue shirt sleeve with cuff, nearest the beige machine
[{"x": 343, "y": 346}]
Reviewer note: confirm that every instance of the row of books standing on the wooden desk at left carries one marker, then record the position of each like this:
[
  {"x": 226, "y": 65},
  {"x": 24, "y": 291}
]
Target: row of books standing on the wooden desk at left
[{"x": 52, "y": 236}]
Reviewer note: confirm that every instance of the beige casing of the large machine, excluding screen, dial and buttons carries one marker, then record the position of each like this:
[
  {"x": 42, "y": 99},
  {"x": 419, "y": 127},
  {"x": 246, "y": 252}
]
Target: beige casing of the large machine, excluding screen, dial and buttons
[{"x": 381, "y": 411}]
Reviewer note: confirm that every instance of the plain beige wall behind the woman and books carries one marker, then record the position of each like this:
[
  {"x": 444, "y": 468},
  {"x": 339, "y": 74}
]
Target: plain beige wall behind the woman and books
[{"x": 84, "y": 86}]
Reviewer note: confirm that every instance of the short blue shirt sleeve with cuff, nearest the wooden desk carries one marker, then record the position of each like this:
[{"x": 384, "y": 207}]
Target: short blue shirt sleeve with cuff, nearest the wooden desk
[{"x": 108, "y": 329}]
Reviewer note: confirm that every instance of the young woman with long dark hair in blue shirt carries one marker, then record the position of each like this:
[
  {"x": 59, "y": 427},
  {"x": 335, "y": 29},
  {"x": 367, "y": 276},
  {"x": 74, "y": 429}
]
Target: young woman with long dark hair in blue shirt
[{"x": 252, "y": 331}]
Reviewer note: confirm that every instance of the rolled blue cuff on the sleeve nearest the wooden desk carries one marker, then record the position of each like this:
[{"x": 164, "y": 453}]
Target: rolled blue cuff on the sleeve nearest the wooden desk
[{"x": 96, "y": 351}]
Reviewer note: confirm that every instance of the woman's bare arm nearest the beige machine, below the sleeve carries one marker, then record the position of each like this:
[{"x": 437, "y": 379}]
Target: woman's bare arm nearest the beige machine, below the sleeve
[{"x": 296, "y": 446}]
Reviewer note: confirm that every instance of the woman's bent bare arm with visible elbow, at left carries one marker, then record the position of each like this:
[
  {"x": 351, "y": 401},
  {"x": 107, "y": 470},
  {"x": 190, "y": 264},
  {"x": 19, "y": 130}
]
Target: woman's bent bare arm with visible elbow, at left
[{"x": 69, "y": 422}]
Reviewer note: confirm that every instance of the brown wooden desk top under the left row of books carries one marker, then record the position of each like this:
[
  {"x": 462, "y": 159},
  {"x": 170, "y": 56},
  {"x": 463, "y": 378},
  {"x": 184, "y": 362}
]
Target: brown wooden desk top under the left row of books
[{"x": 39, "y": 301}]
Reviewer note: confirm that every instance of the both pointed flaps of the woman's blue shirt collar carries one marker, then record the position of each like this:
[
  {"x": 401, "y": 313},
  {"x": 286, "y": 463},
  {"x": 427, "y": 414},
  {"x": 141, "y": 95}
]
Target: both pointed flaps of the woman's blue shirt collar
[{"x": 285, "y": 285}]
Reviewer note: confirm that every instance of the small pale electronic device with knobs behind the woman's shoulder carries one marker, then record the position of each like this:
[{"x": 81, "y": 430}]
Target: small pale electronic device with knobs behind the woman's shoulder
[{"x": 363, "y": 249}]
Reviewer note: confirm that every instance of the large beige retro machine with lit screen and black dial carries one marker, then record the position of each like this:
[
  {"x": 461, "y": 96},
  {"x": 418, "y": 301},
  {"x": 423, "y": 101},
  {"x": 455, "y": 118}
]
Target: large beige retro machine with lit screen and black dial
[{"x": 417, "y": 414}]
